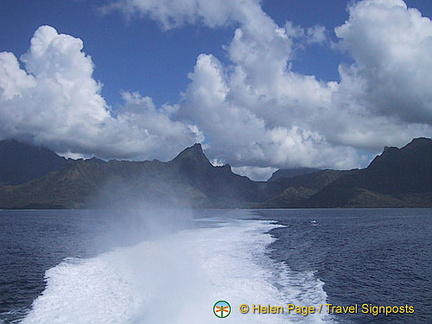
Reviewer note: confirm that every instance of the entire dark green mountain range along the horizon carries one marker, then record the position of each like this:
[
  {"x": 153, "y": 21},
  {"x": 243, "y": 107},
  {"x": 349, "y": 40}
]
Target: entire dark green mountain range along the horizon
[{"x": 38, "y": 178}]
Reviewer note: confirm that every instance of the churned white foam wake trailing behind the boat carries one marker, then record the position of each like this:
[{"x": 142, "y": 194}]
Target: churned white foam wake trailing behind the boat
[{"x": 177, "y": 279}]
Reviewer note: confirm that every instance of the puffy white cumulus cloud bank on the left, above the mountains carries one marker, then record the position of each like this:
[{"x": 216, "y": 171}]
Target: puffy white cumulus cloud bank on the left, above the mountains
[{"x": 55, "y": 102}]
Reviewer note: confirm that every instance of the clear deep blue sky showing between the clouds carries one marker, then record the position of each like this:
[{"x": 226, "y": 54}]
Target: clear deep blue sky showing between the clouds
[{"x": 148, "y": 53}]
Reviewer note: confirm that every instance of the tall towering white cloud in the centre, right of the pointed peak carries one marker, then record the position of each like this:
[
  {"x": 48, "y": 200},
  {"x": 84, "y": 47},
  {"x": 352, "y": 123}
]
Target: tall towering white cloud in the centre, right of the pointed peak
[{"x": 256, "y": 111}]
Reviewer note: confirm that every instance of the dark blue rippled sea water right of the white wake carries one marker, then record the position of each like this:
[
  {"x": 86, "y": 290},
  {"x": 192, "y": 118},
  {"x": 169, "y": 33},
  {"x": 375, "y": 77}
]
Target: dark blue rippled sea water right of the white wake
[{"x": 363, "y": 256}]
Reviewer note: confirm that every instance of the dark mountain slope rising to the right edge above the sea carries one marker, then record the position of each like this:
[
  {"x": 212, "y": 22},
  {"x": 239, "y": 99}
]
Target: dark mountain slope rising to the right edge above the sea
[{"x": 396, "y": 178}]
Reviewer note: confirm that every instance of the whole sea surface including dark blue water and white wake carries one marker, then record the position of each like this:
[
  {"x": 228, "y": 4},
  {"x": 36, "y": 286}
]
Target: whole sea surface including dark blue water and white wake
[{"x": 152, "y": 265}]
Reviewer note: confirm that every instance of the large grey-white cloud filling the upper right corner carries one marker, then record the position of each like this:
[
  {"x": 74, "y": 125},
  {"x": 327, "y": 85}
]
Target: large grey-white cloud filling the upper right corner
[{"x": 392, "y": 47}]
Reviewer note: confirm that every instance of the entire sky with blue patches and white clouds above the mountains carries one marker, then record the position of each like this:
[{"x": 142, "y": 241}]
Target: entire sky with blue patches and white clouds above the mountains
[{"x": 263, "y": 85}]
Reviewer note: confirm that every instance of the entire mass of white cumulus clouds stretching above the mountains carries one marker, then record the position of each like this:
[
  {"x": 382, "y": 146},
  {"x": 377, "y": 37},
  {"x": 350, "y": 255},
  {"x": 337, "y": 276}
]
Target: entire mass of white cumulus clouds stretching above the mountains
[{"x": 253, "y": 110}]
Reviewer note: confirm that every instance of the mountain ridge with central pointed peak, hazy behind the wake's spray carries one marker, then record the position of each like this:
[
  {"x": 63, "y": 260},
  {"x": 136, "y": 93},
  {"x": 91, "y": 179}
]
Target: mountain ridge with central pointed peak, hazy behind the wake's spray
[{"x": 188, "y": 180}]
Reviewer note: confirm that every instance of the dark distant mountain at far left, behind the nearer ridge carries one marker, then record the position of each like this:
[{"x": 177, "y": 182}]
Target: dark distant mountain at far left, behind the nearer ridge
[{"x": 21, "y": 162}]
